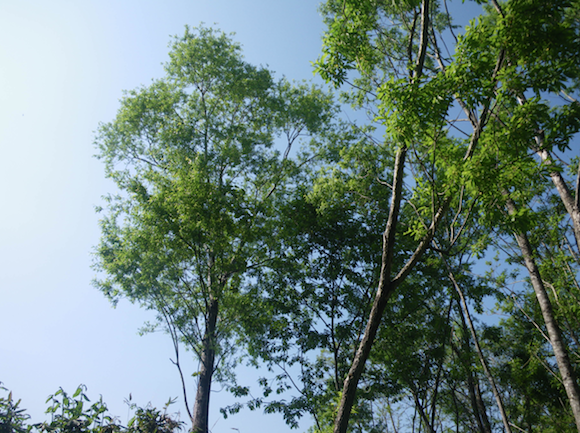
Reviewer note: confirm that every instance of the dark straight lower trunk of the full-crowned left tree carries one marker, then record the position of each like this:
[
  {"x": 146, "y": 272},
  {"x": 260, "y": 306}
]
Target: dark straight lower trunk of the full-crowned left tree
[{"x": 207, "y": 361}]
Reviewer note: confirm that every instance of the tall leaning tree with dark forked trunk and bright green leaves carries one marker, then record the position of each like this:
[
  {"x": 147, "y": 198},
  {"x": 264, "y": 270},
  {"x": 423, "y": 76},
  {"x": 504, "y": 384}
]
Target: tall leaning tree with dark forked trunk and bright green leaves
[{"x": 413, "y": 99}]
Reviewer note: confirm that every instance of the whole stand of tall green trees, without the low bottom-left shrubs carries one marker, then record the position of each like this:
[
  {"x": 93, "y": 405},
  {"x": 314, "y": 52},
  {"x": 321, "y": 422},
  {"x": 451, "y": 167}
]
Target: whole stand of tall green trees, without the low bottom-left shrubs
[{"x": 352, "y": 262}]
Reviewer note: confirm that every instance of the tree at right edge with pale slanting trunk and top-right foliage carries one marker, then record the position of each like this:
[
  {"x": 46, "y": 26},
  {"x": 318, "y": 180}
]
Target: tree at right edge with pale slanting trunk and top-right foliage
[{"x": 535, "y": 123}]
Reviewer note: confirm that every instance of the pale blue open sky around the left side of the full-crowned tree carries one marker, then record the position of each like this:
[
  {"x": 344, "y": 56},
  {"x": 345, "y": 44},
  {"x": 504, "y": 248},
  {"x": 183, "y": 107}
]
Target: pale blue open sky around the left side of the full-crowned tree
[{"x": 63, "y": 66}]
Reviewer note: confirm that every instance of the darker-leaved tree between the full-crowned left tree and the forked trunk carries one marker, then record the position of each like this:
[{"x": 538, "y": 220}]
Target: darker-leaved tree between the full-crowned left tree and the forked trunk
[{"x": 319, "y": 290}]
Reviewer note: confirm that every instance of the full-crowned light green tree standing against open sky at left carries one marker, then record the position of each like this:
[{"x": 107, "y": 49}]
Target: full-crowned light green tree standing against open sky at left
[{"x": 192, "y": 155}]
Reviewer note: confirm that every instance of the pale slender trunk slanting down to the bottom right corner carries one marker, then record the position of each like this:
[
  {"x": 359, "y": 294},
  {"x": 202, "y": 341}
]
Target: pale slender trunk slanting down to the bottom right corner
[{"x": 554, "y": 334}]
